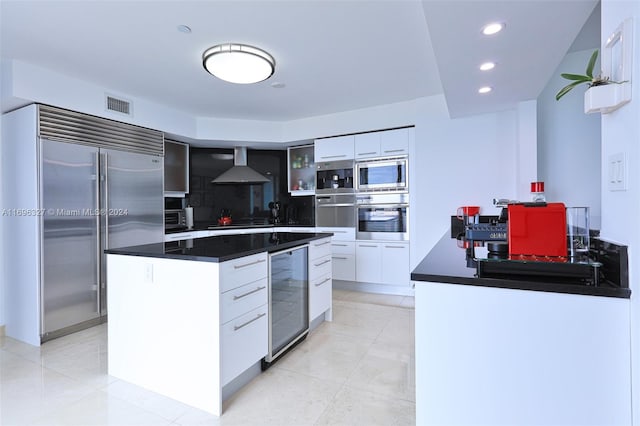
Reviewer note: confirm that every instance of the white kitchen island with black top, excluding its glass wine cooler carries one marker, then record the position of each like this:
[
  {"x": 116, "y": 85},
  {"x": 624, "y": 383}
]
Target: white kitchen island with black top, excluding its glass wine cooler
[{"x": 189, "y": 317}]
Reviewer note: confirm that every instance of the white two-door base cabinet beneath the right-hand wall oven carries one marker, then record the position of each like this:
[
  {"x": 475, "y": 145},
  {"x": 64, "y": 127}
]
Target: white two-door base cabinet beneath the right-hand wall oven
[{"x": 383, "y": 263}]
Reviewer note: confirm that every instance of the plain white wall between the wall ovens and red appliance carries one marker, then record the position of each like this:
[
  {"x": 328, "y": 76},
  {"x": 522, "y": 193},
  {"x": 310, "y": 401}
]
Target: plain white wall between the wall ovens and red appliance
[{"x": 457, "y": 162}]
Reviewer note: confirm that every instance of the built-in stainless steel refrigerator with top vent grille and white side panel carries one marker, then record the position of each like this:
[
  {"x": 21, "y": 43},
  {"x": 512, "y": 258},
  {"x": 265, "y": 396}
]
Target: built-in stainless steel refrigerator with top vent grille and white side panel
[{"x": 98, "y": 184}]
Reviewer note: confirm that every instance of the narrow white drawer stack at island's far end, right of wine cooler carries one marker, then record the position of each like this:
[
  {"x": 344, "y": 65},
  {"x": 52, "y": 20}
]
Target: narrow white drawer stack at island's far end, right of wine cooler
[{"x": 320, "y": 279}]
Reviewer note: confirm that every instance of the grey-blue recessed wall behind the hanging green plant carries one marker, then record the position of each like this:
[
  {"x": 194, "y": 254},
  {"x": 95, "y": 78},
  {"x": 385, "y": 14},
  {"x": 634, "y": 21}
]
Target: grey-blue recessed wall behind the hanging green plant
[{"x": 569, "y": 141}]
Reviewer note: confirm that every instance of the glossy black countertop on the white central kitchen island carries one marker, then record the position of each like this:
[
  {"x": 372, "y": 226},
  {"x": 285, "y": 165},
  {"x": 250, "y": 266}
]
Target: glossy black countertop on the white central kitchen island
[{"x": 221, "y": 248}]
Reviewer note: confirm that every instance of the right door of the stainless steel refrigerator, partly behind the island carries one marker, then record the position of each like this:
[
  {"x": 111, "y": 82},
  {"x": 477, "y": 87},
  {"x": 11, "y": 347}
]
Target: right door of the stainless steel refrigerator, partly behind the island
[{"x": 132, "y": 196}]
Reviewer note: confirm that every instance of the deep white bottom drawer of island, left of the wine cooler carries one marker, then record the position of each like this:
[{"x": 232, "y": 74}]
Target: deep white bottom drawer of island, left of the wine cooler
[{"x": 243, "y": 342}]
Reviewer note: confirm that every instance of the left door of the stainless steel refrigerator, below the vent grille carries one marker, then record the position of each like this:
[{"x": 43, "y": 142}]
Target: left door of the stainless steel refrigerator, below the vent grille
[{"x": 70, "y": 249}]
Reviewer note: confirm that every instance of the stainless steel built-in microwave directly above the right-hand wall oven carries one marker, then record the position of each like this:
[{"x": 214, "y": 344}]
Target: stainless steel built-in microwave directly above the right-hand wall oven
[{"x": 383, "y": 174}]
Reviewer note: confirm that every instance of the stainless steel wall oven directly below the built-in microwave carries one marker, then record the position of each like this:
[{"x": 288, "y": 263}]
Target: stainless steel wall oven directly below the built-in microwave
[{"x": 383, "y": 217}]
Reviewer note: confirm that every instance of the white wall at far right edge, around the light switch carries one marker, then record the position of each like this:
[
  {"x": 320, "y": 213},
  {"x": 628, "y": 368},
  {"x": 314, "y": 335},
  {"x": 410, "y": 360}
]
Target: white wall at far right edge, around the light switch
[{"x": 621, "y": 133}]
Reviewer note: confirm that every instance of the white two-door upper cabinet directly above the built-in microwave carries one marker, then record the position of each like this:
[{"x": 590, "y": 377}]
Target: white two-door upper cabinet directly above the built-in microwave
[{"x": 388, "y": 143}]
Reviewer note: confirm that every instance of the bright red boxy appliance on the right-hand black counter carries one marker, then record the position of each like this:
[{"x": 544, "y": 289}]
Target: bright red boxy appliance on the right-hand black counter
[{"x": 537, "y": 229}]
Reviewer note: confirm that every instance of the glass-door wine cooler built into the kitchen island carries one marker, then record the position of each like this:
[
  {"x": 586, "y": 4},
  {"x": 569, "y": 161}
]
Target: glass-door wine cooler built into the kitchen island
[{"x": 288, "y": 301}]
